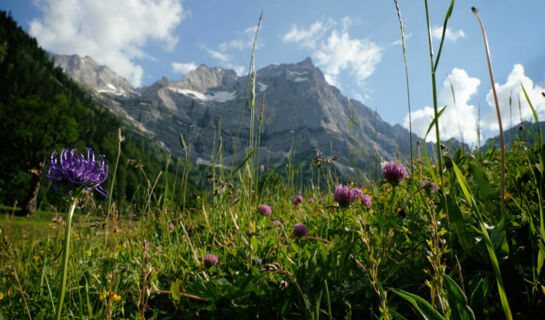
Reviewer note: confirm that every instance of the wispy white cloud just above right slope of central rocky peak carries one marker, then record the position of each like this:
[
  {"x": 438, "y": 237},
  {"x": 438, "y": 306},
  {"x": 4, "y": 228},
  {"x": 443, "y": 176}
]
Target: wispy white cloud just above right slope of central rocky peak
[{"x": 334, "y": 50}]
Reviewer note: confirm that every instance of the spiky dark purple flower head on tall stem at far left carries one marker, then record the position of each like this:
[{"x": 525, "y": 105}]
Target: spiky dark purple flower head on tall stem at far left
[{"x": 73, "y": 172}]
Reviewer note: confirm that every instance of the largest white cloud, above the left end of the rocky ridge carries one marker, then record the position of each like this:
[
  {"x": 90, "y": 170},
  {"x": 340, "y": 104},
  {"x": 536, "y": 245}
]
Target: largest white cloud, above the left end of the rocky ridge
[{"x": 112, "y": 32}]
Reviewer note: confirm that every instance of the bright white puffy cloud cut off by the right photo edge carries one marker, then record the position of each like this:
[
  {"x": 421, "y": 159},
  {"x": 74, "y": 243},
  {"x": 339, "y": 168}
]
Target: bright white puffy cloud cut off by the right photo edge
[{"x": 511, "y": 91}]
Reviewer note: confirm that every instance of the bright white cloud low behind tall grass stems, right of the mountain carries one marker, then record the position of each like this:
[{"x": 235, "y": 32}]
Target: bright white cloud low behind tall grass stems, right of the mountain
[{"x": 459, "y": 120}]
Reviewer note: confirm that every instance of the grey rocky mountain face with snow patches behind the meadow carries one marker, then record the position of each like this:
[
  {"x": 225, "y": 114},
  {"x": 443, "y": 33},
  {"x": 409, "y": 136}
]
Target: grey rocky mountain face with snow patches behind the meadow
[{"x": 302, "y": 113}]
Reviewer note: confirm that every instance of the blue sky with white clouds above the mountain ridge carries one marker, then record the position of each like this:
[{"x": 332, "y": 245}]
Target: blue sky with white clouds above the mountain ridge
[{"x": 354, "y": 42}]
